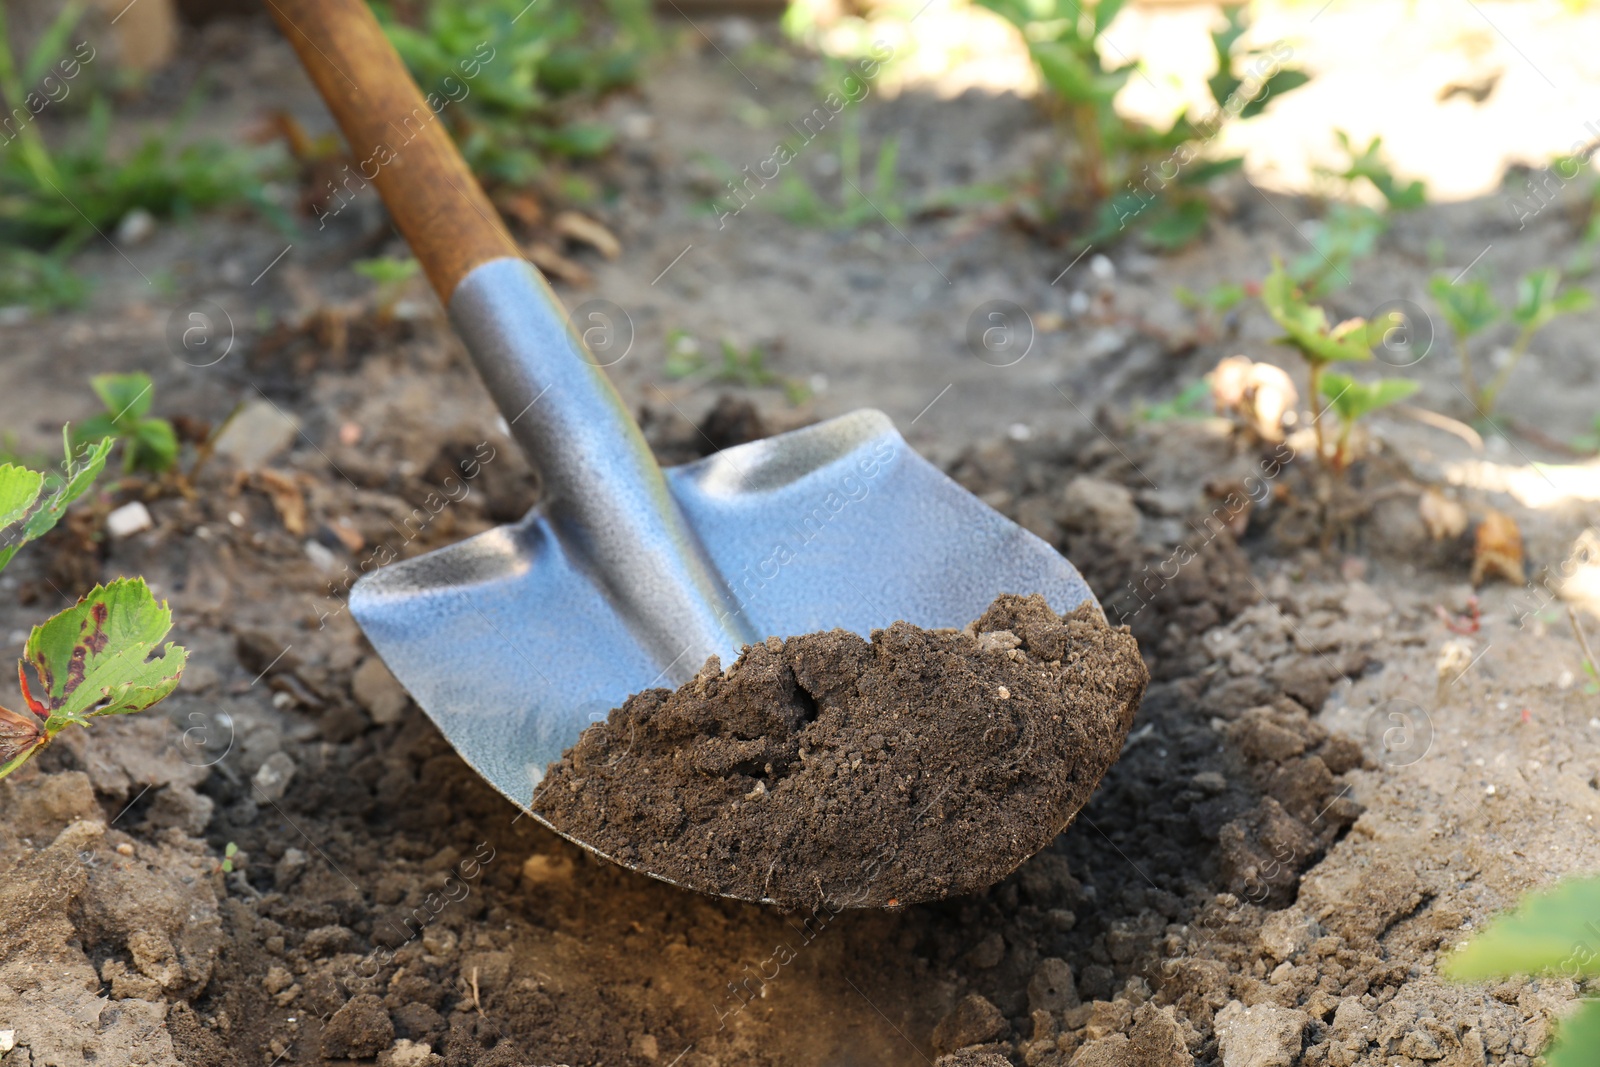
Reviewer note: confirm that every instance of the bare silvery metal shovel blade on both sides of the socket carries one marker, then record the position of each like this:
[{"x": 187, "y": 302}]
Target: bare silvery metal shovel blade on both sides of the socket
[{"x": 514, "y": 649}]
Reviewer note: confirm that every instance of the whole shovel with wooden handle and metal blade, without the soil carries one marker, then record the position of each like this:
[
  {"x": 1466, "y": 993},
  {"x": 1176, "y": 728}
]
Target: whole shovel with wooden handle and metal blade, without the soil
[{"x": 626, "y": 577}]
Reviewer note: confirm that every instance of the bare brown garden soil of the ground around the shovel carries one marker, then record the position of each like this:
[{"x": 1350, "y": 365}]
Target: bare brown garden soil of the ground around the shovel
[{"x": 1346, "y": 761}]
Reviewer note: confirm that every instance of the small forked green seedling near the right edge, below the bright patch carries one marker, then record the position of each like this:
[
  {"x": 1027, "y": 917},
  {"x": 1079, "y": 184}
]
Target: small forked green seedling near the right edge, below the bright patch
[{"x": 1471, "y": 310}]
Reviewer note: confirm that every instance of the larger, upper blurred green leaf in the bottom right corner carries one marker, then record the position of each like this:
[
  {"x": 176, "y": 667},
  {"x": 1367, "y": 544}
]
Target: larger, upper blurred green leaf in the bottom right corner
[{"x": 1551, "y": 930}]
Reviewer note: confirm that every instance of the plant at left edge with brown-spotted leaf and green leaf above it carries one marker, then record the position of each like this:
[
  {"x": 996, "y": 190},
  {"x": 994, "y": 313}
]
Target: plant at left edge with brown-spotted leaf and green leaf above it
[{"x": 94, "y": 658}]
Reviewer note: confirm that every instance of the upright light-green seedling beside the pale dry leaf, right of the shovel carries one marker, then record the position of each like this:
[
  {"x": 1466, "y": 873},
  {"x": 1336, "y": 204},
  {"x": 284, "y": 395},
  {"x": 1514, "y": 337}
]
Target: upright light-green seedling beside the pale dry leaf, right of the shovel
[{"x": 1308, "y": 332}]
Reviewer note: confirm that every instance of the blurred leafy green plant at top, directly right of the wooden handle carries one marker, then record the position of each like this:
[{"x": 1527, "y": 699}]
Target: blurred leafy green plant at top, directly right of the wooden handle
[{"x": 500, "y": 71}]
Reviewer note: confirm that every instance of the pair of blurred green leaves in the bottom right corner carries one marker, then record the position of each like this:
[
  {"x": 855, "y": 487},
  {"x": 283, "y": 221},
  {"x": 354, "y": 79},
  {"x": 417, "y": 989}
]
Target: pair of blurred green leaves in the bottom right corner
[{"x": 1551, "y": 932}]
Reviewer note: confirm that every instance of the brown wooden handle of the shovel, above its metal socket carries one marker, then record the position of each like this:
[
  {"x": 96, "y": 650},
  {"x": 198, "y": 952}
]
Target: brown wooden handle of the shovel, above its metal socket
[{"x": 399, "y": 142}]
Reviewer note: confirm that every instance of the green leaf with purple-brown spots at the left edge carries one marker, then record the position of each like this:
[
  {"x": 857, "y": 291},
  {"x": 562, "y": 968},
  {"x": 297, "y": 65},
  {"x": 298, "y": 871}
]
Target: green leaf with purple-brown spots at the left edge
[{"x": 94, "y": 658}]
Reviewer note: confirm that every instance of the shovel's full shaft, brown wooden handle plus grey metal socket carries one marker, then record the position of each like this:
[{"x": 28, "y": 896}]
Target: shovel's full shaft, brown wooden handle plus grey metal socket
[{"x": 606, "y": 498}]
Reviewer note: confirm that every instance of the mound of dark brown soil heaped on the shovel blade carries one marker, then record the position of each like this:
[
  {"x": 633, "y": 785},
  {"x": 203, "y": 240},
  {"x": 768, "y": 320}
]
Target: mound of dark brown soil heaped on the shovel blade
[{"x": 828, "y": 769}]
